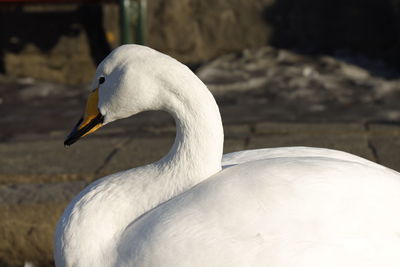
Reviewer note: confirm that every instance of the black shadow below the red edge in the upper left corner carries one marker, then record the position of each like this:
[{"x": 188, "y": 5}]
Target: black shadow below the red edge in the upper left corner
[{"x": 44, "y": 29}]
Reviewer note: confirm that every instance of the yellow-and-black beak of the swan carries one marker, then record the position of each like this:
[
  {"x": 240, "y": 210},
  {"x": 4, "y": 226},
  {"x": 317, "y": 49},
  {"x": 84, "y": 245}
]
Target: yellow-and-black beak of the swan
[{"x": 90, "y": 122}]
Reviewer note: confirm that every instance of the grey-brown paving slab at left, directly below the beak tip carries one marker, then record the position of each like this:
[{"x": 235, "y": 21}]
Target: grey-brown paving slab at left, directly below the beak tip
[{"x": 45, "y": 161}]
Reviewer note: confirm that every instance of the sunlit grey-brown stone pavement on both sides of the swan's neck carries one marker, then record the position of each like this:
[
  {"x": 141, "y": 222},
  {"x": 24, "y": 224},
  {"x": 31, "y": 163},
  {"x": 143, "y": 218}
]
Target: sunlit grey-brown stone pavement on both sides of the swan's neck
[{"x": 39, "y": 178}]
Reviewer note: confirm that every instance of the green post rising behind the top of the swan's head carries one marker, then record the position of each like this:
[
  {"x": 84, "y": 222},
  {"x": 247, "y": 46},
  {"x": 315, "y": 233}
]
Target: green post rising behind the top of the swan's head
[{"x": 133, "y": 21}]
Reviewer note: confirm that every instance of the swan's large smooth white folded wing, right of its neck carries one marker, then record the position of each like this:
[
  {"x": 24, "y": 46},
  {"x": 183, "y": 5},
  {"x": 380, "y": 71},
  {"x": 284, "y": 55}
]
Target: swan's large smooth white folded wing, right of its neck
[{"x": 282, "y": 211}]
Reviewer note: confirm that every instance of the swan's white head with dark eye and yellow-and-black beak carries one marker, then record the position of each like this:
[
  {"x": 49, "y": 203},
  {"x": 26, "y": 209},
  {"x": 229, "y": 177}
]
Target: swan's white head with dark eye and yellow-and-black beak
[{"x": 131, "y": 79}]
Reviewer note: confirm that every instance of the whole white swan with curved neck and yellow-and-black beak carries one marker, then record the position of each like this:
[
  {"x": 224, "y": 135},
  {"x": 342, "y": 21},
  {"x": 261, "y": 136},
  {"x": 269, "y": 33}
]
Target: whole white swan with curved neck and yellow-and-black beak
[{"x": 296, "y": 206}]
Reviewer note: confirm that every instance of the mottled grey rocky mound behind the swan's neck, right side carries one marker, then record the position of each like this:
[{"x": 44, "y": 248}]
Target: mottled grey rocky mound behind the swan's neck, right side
[{"x": 302, "y": 87}]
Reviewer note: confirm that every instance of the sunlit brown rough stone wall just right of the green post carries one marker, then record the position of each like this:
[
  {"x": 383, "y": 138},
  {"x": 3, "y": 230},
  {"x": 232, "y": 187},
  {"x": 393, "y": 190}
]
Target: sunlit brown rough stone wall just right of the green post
[{"x": 195, "y": 30}]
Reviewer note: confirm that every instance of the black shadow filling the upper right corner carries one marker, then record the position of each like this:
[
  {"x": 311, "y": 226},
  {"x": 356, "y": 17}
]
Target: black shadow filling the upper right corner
[{"x": 364, "y": 32}]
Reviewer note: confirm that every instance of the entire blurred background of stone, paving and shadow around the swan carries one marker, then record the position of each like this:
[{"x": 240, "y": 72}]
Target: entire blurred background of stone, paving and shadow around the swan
[{"x": 284, "y": 72}]
